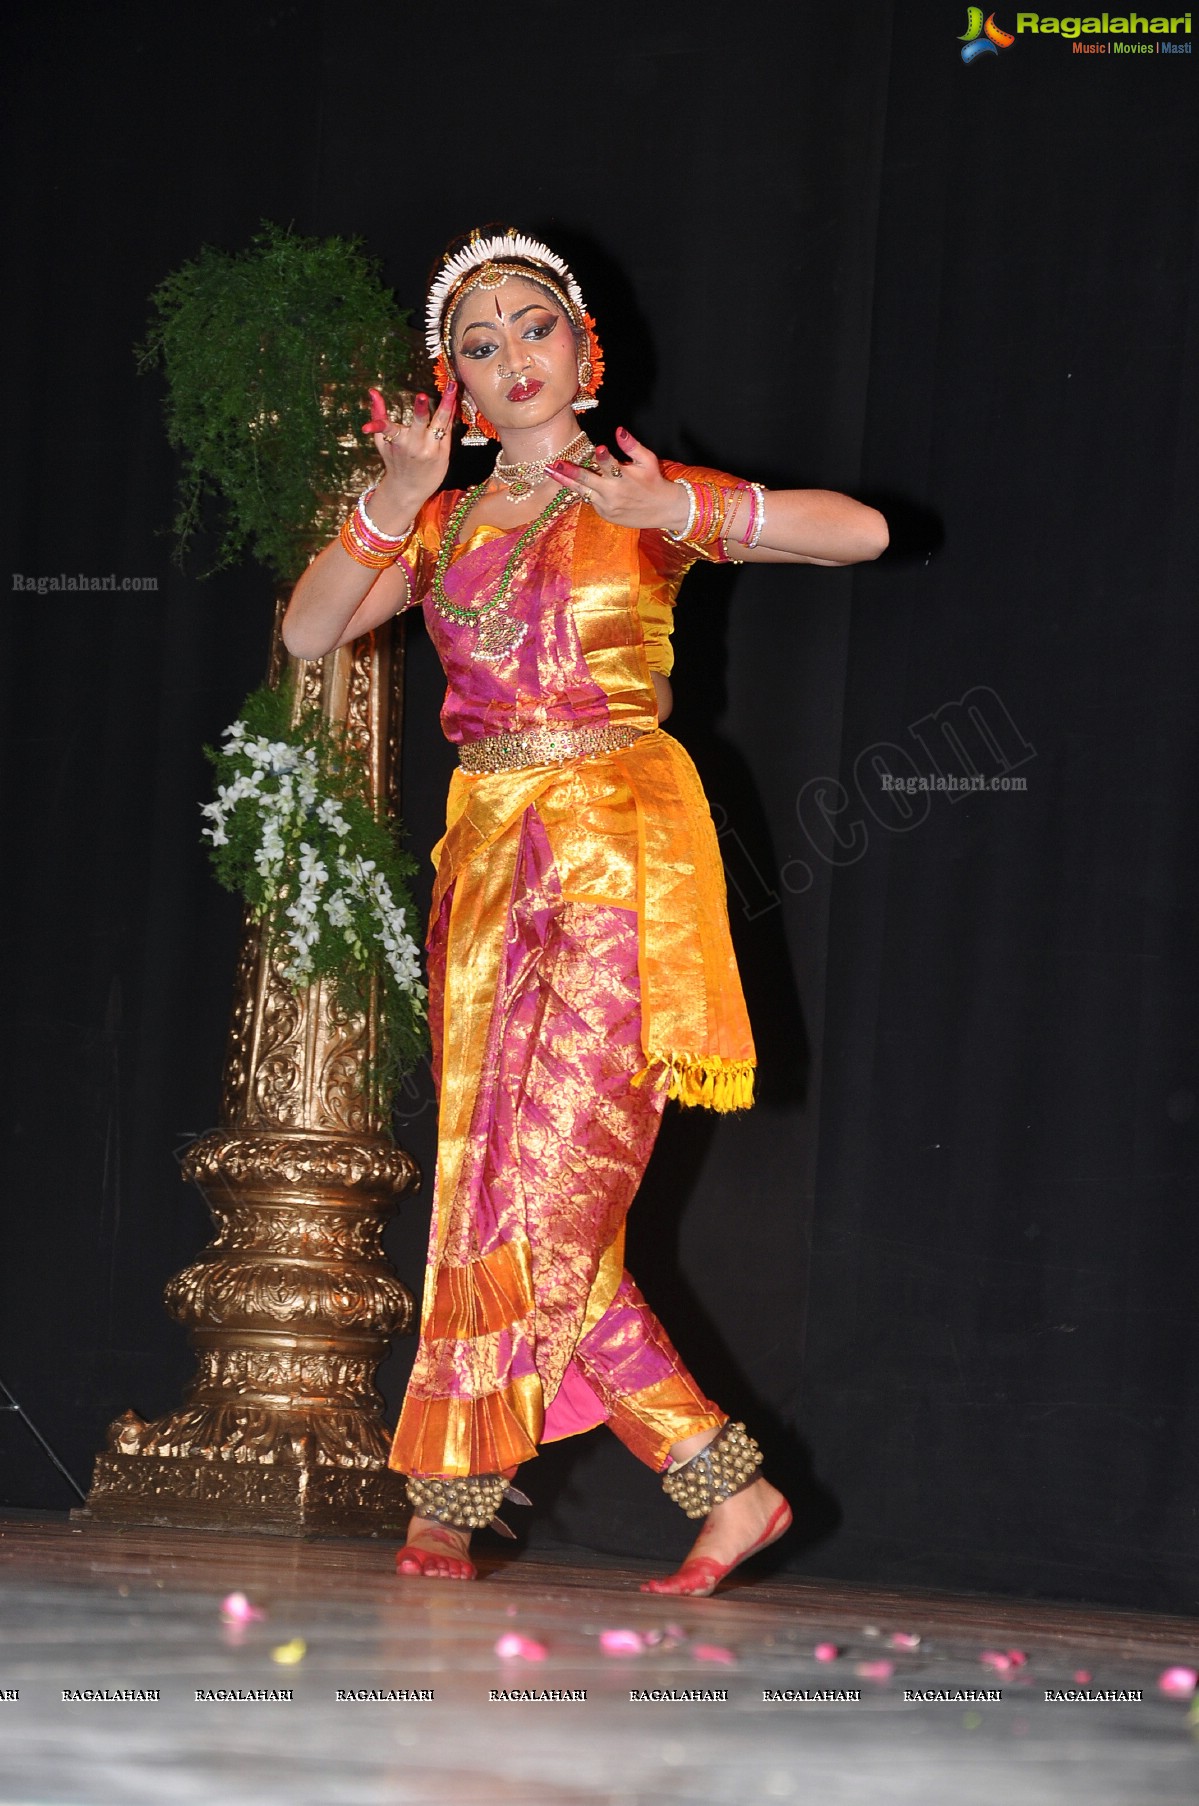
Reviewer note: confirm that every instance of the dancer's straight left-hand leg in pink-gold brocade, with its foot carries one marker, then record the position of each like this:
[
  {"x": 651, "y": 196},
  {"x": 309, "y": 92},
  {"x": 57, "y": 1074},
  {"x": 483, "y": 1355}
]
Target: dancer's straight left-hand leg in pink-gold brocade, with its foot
[{"x": 557, "y": 1153}]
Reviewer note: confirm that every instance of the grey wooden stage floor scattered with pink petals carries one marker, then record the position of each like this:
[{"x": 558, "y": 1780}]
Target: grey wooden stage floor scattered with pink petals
[{"x": 84, "y": 1606}]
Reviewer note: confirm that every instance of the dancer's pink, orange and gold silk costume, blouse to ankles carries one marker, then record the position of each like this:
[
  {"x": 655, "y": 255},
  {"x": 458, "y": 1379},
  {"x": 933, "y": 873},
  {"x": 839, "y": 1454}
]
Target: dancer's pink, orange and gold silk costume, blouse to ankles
[{"x": 581, "y": 973}]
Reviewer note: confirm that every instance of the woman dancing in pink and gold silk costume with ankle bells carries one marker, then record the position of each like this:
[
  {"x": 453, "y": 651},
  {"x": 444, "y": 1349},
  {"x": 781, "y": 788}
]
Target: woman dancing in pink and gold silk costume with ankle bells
[{"x": 581, "y": 960}]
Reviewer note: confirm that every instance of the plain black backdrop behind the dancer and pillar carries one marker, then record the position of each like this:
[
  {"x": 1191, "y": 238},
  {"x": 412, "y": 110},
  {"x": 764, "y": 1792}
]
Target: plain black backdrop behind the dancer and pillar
[{"x": 947, "y": 1269}]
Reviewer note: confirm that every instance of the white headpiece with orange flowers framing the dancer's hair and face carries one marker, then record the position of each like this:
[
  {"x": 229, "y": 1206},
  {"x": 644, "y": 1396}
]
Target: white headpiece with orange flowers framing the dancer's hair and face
[{"x": 485, "y": 263}]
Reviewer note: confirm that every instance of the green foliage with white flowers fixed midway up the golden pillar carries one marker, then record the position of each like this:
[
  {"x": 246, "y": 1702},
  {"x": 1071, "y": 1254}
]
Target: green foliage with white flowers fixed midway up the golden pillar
[{"x": 293, "y": 830}]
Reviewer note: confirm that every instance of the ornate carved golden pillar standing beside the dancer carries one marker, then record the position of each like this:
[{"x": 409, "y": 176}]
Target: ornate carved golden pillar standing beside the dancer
[{"x": 293, "y": 1303}]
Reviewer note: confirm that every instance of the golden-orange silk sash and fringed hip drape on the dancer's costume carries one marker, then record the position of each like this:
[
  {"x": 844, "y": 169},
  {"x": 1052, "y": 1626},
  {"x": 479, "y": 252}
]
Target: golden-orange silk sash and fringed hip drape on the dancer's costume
[{"x": 629, "y": 828}]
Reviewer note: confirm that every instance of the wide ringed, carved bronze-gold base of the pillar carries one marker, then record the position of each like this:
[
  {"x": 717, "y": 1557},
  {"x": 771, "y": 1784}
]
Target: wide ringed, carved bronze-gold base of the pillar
[{"x": 292, "y": 1308}]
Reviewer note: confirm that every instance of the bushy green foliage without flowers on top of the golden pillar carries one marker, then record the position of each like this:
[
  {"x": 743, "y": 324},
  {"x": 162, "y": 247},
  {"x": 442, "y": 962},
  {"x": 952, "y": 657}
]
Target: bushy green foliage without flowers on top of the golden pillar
[{"x": 268, "y": 357}]
